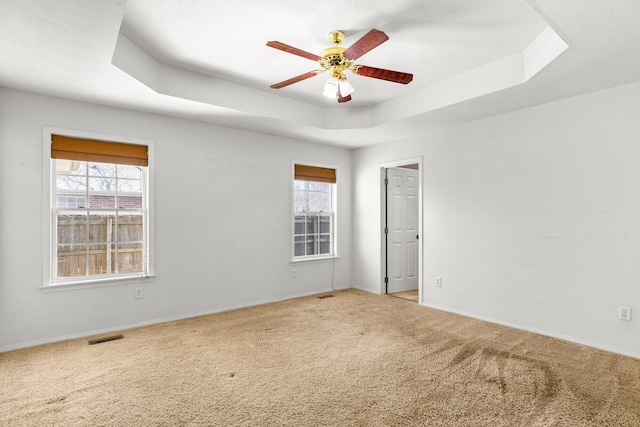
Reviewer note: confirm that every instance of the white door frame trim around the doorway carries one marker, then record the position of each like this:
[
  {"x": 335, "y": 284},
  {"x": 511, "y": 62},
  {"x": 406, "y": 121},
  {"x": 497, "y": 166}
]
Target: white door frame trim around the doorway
[{"x": 383, "y": 218}]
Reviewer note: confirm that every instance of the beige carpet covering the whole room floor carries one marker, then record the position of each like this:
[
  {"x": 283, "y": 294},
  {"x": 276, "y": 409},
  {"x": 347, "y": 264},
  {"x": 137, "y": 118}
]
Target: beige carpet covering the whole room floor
[{"x": 352, "y": 359}]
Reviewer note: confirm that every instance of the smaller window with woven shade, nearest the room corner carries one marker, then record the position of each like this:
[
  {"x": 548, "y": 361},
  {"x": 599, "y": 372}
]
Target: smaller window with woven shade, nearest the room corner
[{"x": 313, "y": 212}]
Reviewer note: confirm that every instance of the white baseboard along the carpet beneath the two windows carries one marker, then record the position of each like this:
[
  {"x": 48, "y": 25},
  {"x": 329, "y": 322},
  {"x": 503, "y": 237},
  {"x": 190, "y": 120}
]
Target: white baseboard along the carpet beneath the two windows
[{"x": 11, "y": 347}]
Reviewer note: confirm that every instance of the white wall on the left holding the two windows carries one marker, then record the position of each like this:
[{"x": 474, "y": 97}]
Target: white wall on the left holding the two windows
[{"x": 222, "y": 222}]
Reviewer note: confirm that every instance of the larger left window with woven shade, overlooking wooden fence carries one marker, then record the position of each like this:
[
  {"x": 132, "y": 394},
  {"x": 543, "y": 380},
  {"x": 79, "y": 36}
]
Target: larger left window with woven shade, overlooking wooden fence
[{"x": 99, "y": 210}]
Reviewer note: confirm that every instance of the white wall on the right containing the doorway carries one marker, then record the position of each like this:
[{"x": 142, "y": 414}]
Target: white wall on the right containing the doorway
[{"x": 531, "y": 218}]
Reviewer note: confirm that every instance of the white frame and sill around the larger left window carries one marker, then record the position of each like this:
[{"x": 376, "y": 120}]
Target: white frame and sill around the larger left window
[{"x": 49, "y": 258}]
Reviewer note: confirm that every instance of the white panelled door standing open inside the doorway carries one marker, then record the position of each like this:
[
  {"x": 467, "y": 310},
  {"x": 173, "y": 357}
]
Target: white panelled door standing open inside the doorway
[{"x": 402, "y": 224}]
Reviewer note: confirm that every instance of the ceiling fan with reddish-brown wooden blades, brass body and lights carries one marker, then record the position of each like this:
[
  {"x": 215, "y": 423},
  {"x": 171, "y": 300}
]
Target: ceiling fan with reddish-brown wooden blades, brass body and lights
[{"x": 336, "y": 59}]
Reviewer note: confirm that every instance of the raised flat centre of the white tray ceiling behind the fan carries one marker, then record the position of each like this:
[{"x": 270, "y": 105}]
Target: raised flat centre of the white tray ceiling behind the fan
[{"x": 222, "y": 39}]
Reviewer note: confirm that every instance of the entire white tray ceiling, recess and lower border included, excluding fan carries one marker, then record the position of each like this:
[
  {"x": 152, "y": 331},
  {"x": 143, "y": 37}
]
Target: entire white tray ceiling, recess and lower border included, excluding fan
[{"x": 207, "y": 60}]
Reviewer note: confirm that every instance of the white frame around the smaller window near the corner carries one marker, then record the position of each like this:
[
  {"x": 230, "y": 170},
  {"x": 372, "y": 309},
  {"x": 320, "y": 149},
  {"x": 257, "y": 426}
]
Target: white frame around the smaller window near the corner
[{"x": 334, "y": 215}]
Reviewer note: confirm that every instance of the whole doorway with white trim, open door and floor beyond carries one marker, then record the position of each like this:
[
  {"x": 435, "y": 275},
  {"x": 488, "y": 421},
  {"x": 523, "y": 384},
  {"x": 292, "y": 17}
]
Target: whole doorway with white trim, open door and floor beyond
[{"x": 401, "y": 229}]
